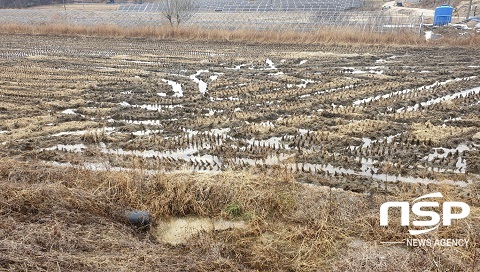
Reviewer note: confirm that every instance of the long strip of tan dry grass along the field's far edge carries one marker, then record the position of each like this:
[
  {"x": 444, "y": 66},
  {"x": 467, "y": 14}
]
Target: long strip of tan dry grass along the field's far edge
[{"x": 324, "y": 35}]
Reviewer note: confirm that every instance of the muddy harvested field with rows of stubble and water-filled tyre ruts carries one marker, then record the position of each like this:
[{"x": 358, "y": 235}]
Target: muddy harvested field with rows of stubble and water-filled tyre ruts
[{"x": 347, "y": 116}]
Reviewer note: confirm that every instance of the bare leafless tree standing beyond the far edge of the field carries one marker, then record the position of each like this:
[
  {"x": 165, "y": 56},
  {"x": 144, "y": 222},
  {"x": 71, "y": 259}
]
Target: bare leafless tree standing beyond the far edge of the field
[{"x": 178, "y": 11}]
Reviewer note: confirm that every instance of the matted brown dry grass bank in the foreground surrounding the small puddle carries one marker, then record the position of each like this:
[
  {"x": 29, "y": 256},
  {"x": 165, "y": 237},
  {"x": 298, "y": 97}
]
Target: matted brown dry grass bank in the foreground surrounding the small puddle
[{"x": 58, "y": 219}]
